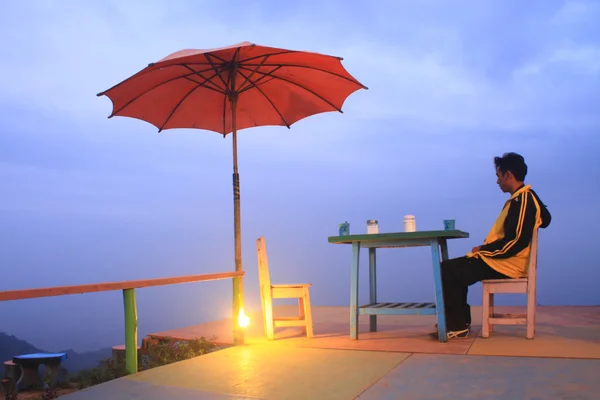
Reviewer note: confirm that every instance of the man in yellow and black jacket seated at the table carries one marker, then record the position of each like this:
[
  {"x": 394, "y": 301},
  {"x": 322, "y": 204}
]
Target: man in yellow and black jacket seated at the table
[{"x": 504, "y": 253}]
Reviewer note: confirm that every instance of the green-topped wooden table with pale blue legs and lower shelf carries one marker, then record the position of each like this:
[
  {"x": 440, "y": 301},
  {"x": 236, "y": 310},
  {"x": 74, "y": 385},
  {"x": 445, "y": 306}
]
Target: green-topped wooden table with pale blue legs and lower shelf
[{"x": 436, "y": 240}]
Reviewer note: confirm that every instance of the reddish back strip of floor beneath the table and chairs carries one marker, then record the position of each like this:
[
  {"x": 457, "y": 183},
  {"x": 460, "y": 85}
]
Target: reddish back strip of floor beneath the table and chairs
[{"x": 571, "y": 332}]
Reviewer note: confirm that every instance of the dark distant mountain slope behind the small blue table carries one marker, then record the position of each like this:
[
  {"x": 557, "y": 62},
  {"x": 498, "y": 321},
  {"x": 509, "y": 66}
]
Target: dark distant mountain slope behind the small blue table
[{"x": 11, "y": 346}]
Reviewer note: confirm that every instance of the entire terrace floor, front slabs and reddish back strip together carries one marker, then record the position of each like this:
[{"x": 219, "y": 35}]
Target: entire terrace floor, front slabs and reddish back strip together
[{"x": 399, "y": 362}]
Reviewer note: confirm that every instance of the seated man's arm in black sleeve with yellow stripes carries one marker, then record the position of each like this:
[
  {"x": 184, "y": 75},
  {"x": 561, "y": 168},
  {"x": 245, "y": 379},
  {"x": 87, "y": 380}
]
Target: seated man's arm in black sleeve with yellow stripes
[{"x": 518, "y": 229}]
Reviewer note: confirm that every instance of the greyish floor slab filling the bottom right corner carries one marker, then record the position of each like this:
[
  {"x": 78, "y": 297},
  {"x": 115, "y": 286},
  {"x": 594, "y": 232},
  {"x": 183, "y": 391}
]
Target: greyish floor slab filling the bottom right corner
[{"x": 427, "y": 376}]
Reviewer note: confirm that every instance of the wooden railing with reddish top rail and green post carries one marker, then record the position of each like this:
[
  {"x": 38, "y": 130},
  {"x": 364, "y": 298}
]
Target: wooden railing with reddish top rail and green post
[{"x": 128, "y": 288}]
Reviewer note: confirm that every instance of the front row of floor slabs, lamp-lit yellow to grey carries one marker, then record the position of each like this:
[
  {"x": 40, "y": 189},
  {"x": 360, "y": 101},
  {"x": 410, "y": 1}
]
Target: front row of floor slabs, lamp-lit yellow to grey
[{"x": 264, "y": 372}]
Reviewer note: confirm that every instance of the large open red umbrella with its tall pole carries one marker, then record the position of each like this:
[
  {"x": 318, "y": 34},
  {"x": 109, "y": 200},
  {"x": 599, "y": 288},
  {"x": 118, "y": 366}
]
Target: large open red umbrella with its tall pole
[{"x": 231, "y": 88}]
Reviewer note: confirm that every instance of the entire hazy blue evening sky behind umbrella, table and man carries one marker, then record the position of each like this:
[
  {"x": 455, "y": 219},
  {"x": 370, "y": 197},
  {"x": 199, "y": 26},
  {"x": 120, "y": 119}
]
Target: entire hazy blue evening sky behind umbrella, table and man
[{"x": 86, "y": 199}]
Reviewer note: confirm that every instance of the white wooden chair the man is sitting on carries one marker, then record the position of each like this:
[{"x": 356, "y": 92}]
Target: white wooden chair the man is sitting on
[{"x": 520, "y": 285}]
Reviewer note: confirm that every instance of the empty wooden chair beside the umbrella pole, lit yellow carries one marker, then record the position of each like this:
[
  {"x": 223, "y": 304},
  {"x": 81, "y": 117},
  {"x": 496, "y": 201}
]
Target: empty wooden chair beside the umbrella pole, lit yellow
[{"x": 268, "y": 292}]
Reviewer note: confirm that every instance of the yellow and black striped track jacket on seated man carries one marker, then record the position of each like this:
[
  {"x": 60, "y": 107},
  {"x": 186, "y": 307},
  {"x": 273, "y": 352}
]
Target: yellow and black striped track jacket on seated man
[{"x": 506, "y": 248}]
